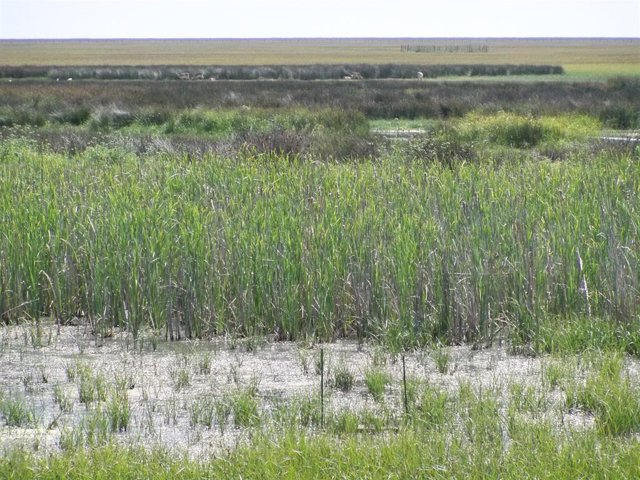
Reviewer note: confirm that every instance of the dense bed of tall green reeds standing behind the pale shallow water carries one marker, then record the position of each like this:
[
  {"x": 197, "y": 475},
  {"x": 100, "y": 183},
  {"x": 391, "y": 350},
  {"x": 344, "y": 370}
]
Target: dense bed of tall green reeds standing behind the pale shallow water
[{"x": 401, "y": 249}]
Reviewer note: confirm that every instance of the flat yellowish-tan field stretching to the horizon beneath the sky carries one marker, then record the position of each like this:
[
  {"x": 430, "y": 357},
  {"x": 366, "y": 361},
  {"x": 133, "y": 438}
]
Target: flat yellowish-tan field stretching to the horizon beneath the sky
[{"x": 598, "y": 57}]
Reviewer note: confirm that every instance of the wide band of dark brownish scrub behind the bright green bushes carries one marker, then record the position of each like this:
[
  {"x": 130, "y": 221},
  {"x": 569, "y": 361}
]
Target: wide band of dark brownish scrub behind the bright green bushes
[{"x": 616, "y": 102}]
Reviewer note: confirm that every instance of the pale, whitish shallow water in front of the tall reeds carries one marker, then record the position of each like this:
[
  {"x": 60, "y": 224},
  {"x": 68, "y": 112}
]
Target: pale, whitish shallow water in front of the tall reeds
[{"x": 280, "y": 372}]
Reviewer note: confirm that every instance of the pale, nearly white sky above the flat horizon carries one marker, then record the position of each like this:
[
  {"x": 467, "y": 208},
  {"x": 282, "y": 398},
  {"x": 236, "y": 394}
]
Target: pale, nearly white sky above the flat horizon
[{"x": 51, "y": 19}]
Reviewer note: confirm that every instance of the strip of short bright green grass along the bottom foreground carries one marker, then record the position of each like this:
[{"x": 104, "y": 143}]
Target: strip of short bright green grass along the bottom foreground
[{"x": 536, "y": 454}]
